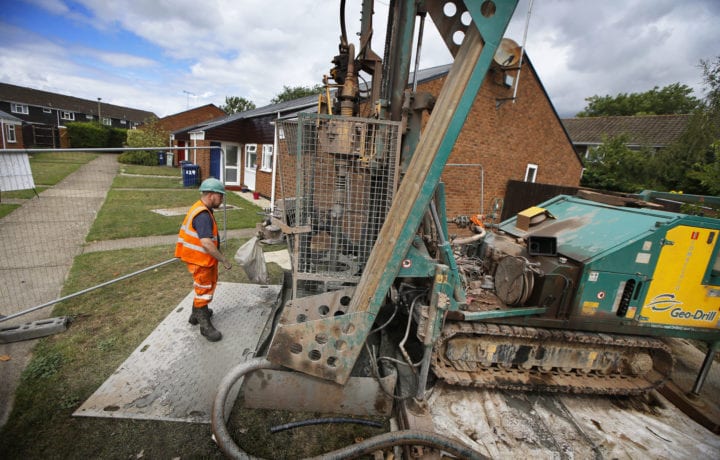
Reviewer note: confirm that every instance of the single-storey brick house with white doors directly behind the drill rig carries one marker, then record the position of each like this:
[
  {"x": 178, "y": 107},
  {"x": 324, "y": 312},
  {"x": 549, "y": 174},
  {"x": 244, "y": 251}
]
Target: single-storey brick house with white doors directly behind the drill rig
[{"x": 503, "y": 139}]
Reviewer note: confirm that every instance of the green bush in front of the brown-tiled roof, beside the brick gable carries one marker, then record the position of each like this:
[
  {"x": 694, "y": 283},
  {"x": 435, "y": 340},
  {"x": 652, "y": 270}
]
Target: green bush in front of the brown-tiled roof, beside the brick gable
[{"x": 613, "y": 166}]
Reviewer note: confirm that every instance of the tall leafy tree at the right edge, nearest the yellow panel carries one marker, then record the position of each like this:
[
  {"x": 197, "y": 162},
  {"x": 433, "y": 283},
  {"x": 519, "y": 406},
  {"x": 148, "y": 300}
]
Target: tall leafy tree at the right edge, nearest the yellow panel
[{"x": 692, "y": 163}]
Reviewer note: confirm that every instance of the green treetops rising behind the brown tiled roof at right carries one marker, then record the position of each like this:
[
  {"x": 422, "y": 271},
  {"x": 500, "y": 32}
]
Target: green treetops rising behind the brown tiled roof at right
[{"x": 672, "y": 99}]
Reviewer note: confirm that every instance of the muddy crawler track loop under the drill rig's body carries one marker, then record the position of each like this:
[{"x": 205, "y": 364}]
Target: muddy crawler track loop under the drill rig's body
[{"x": 554, "y": 381}]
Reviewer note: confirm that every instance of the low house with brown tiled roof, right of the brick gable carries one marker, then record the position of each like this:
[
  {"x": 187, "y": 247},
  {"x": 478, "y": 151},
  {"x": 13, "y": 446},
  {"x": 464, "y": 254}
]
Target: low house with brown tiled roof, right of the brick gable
[{"x": 655, "y": 131}]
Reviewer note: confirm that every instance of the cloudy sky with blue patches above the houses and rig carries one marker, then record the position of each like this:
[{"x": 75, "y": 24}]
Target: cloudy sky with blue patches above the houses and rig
[{"x": 169, "y": 55}]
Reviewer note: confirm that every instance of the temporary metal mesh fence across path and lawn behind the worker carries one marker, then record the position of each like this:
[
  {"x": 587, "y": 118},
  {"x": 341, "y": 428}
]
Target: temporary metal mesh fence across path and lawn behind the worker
[{"x": 58, "y": 204}]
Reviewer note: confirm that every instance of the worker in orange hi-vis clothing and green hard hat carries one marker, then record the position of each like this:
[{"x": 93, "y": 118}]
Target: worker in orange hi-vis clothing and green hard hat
[{"x": 198, "y": 246}]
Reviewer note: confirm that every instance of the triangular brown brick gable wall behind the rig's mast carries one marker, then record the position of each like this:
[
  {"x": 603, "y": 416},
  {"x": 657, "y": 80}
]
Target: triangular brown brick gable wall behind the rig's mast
[{"x": 502, "y": 138}]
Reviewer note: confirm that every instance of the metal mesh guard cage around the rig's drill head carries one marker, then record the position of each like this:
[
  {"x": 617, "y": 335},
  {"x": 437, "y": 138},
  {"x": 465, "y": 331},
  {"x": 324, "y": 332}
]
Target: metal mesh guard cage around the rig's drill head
[{"x": 338, "y": 178}]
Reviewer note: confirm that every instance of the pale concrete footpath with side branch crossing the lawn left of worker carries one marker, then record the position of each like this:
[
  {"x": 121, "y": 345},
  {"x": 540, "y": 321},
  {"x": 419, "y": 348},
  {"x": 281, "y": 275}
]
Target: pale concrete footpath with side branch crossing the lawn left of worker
[{"x": 59, "y": 219}]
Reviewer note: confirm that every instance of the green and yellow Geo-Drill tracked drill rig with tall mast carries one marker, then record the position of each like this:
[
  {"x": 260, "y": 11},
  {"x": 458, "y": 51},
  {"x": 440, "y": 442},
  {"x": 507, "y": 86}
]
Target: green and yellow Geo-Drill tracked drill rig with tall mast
[{"x": 568, "y": 297}]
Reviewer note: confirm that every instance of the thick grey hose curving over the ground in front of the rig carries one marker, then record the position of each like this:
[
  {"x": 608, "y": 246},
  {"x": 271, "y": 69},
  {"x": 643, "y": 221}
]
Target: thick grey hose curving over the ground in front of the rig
[{"x": 383, "y": 441}]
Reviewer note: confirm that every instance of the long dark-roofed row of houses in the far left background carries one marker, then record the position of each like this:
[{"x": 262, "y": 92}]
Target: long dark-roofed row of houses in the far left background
[{"x": 42, "y": 112}]
